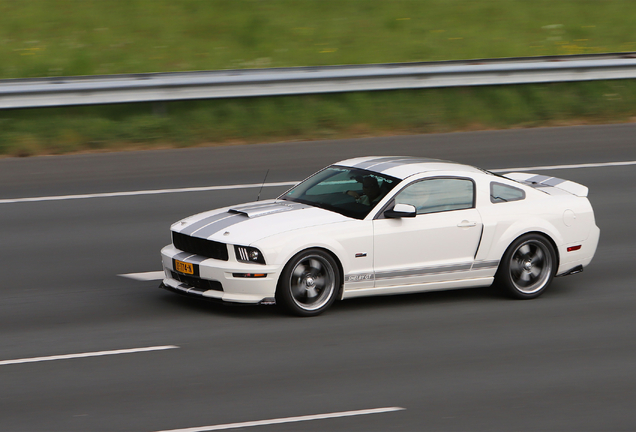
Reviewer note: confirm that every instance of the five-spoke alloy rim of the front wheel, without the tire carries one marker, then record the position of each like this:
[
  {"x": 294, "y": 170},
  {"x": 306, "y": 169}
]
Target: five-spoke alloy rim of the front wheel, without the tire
[{"x": 312, "y": 282}]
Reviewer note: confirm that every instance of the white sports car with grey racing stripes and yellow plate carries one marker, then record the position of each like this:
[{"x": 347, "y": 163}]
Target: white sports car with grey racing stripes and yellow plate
[{"x": 385, "y": 225}]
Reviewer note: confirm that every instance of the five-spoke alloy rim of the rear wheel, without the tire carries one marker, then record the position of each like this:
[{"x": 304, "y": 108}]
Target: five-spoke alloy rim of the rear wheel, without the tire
[{"x": 531, "y": 266}]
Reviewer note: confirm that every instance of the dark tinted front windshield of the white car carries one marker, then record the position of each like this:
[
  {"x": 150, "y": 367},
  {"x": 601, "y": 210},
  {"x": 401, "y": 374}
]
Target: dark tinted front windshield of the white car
[{"x": 351, "y": 192}]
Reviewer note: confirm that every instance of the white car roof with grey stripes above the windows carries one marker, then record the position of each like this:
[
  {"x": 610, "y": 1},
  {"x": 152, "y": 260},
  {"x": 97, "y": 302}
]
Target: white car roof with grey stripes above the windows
[{"x": 405, "y": 166}]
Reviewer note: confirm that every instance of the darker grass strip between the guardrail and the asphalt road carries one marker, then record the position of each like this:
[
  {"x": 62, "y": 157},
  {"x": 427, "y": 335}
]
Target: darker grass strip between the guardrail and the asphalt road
[{"x": 232, "y": 121}]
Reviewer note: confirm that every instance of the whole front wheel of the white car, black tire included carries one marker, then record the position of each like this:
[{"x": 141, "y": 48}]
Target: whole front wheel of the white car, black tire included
[{"x": 309, "y": 283}]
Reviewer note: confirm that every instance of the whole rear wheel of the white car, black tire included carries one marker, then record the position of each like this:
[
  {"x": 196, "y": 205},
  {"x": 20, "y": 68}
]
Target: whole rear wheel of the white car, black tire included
[{"x": 528, "y": 267}]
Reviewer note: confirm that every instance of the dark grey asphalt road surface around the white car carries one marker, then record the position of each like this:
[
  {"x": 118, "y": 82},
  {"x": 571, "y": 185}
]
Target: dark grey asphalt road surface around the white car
[{"x": 457, "y": 360}]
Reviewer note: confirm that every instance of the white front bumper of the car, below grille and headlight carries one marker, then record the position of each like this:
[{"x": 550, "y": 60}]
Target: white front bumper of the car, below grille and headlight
[{"x": 220, "y": 276}]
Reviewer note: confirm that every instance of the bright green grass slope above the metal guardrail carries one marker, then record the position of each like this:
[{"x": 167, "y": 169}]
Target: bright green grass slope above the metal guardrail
[{"x": 84, "y": 37}]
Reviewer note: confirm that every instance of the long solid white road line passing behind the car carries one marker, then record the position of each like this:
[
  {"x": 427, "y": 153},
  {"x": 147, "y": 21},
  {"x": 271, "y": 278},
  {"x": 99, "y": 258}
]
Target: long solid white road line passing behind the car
[{"x": 254, "y": 185}]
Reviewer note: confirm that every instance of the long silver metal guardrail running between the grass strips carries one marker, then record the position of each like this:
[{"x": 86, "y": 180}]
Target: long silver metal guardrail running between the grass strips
[{"x": 155, "y": 87}]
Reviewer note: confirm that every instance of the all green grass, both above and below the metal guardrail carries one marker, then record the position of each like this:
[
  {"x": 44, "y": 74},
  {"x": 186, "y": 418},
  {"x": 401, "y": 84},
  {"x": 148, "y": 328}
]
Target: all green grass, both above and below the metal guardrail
[{"x": 84, "y": 37}]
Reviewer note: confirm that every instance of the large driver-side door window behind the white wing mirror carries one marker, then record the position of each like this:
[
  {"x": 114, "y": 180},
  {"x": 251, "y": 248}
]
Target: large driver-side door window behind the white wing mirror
[{"x": 437, "y": 195}]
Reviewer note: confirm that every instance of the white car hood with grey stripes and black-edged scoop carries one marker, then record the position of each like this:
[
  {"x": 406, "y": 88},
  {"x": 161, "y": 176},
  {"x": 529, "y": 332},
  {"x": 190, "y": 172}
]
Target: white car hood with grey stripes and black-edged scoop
[{"x": 247, "y": 223}]
